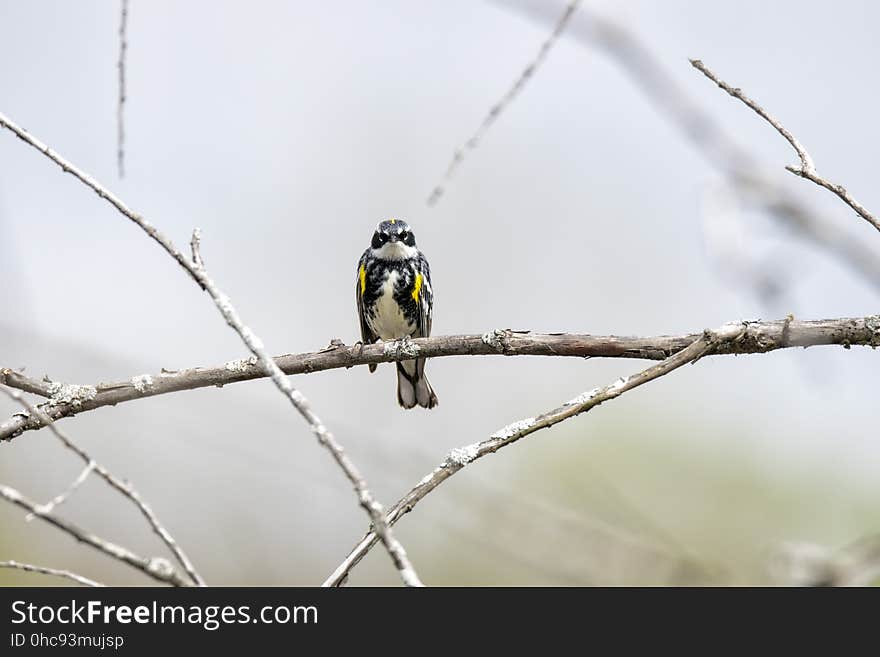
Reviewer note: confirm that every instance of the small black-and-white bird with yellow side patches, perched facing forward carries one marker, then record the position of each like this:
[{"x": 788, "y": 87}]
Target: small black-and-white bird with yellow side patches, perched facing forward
[{"x": 395, "y": 300}]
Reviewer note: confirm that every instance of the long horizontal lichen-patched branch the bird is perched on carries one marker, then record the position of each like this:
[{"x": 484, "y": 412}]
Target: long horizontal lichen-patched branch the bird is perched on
[{"x": 68, "y": 400}]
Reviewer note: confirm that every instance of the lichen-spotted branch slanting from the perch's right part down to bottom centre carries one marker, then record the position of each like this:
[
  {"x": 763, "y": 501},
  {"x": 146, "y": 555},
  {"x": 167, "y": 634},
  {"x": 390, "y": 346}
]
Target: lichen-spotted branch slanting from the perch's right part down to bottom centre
[{"x": 710, "y": 342}]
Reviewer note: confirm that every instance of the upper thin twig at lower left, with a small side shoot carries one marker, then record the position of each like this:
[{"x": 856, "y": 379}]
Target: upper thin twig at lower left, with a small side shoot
[{"x": 120, "y": 485}]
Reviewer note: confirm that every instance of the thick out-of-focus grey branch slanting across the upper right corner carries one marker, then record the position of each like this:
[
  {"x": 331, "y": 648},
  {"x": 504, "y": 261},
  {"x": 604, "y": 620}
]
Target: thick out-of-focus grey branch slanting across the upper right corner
[{"x": 703, "y": 130}]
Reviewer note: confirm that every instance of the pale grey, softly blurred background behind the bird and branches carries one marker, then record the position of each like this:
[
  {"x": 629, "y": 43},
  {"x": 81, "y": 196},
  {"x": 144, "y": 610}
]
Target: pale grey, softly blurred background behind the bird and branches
[{"x": 286, "y": 130}]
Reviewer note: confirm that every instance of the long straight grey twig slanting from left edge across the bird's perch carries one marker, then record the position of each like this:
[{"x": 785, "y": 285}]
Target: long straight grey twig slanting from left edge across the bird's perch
[{"x": 253, "y": 343}]
